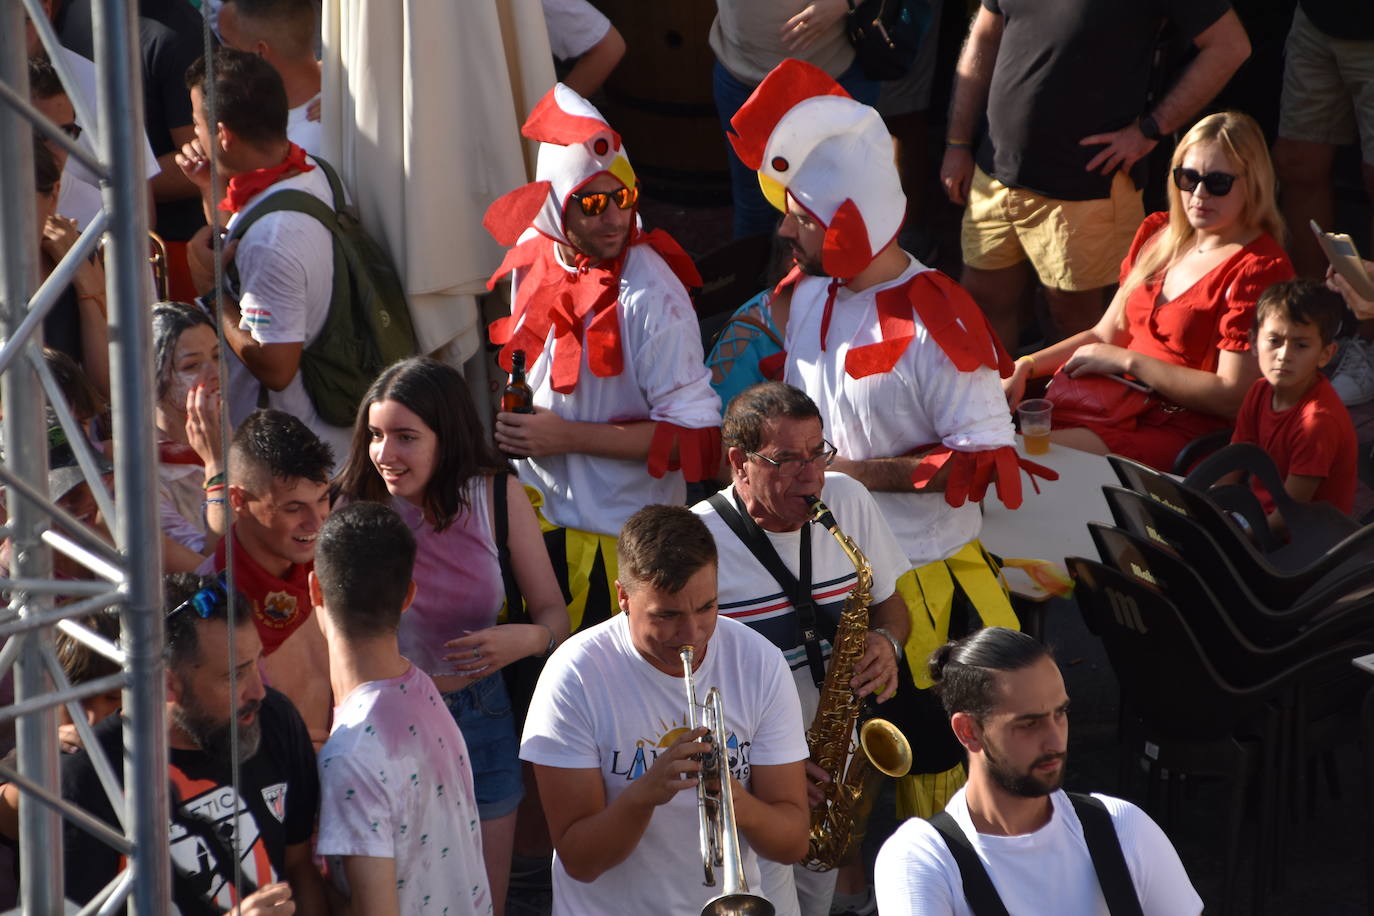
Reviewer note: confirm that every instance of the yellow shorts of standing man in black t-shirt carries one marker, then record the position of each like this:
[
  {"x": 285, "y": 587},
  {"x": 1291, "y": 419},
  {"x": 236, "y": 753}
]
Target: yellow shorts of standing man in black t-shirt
[{"x": 1072, "y": 245}]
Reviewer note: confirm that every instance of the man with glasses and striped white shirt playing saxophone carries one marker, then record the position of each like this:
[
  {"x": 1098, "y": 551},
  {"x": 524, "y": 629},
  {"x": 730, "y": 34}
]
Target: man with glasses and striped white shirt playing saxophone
[{"x": 778, "y": 458}]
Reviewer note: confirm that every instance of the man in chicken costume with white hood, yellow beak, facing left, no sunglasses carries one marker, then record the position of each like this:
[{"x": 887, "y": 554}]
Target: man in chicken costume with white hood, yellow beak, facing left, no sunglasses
[{"x": 905, "y": 370}]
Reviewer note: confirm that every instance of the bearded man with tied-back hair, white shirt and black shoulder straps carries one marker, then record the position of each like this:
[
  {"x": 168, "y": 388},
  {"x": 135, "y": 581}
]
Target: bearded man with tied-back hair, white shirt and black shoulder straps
[{"x": 1012, "y": 832}]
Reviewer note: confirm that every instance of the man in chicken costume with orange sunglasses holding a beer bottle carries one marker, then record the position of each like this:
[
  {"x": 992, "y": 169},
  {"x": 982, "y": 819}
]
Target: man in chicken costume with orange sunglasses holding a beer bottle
[{"x": 602, "y": 314}]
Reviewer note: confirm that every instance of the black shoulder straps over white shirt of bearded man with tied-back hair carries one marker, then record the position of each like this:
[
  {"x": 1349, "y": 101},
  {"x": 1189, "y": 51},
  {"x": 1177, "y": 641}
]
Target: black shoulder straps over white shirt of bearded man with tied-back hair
[{"x": 1104, "y": 847}]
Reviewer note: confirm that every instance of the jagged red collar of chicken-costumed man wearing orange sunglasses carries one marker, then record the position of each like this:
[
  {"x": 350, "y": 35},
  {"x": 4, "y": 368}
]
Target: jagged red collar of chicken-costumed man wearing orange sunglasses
[{"x": 578, "y": 306}]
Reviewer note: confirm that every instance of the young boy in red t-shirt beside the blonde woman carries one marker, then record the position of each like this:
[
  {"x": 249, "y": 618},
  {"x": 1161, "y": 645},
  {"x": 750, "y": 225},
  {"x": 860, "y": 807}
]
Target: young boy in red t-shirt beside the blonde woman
[{"x": 1294, "y": 413}]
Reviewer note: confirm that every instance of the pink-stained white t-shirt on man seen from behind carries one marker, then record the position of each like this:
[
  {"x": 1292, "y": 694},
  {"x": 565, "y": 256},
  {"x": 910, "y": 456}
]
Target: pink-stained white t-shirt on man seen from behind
[{"x": 396, "y": 783}]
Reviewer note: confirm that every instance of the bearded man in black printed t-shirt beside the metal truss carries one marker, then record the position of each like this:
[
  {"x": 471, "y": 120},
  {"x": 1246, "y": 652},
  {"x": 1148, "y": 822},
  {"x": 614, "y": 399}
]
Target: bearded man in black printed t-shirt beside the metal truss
[{"x": 270, "y": 819}]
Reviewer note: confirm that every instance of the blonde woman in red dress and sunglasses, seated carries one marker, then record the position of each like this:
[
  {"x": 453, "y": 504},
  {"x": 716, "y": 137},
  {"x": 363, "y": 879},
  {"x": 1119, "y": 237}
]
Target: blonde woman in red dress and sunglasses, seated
[{"x": 1181, "y": 321}]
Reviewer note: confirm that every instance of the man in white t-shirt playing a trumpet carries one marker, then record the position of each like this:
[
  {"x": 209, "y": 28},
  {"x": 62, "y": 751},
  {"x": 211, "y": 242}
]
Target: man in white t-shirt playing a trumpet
[{"x": 613, "y": 753}]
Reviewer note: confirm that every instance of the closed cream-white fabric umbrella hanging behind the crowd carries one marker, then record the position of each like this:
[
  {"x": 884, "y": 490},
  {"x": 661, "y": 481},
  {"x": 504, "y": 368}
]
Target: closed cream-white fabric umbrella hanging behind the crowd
[{"x": 424, "y": 102}]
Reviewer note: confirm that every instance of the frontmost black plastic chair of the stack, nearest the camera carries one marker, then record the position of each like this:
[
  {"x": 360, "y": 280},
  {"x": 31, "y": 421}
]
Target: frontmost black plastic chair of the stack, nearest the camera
[{"x": 1184, "y": 716}]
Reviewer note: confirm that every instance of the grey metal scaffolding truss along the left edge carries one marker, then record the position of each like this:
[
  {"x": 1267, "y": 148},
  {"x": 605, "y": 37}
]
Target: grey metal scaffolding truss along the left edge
[{"x": 127, "y": 576}]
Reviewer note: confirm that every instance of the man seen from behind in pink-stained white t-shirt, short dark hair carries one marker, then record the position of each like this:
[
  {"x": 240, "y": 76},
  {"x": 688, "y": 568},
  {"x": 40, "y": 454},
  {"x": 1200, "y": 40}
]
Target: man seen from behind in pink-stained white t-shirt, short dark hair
[{"x": 398, "y": 814}]
